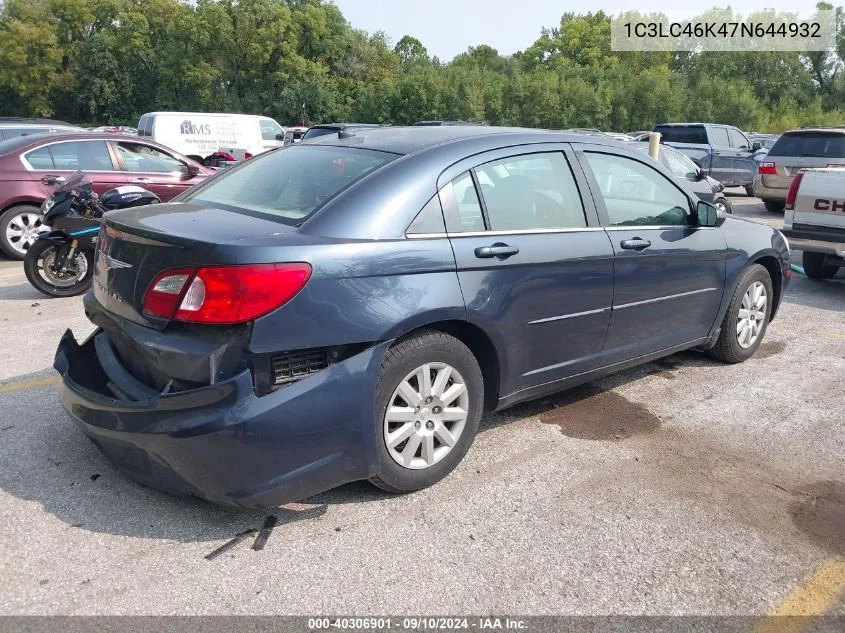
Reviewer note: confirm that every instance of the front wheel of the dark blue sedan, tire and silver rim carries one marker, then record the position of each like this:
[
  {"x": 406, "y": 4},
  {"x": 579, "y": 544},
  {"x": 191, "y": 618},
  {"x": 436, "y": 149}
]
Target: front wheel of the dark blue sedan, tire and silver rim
[{"x": 747, "y": 318}]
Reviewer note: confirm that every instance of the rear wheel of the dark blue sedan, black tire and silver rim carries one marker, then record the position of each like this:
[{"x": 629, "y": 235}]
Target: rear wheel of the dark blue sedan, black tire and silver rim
[{"x": 429, "y": 401}]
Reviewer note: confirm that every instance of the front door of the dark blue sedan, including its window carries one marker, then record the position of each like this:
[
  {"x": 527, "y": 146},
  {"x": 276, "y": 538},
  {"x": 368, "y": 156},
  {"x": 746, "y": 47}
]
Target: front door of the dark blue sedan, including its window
[{"x": 669, "y": 273}]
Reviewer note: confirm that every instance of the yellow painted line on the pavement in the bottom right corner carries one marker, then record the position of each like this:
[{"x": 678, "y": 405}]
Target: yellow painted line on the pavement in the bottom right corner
[{"x": 811, "y": 598}]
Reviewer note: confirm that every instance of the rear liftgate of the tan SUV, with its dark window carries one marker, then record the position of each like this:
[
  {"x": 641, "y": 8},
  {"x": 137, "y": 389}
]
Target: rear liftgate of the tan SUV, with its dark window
[{"x": 801, "y": 149}]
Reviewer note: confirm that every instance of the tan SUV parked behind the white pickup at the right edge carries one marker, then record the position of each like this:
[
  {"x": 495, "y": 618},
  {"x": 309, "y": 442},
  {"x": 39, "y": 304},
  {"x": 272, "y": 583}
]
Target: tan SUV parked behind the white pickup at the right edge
[{"x": 793, "y": 151}]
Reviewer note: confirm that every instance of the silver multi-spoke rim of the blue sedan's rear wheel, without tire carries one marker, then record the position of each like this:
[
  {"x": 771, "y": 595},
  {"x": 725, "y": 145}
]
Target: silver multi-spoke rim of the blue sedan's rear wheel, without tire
[{"x": 426, "y": 415}]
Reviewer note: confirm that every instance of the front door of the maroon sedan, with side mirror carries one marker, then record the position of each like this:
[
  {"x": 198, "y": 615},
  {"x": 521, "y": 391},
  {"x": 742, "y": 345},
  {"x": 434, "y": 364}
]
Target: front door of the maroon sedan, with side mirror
[{"x": 153, "y": 169}]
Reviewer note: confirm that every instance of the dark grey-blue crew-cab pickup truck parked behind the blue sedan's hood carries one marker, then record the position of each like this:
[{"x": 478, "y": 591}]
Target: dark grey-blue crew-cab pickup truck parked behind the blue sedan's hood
[{"x": 722, "y": 151}]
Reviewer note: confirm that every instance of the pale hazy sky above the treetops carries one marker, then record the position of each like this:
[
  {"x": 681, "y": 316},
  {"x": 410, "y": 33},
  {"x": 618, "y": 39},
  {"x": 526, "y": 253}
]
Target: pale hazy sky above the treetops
[{"x": 447, "y": 27}]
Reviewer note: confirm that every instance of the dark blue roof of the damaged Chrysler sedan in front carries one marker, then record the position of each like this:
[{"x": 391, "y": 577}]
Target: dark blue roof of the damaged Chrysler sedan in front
[{"x": 411, "y": 139}]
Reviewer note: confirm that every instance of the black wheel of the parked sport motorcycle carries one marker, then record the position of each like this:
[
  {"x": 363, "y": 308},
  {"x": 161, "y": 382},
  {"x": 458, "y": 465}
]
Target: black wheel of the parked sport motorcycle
[{"x": 77, "y": 280}]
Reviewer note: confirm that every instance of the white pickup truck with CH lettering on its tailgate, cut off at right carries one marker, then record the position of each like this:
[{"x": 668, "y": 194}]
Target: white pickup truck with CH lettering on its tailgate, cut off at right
[{"x": 814, "y": 220}]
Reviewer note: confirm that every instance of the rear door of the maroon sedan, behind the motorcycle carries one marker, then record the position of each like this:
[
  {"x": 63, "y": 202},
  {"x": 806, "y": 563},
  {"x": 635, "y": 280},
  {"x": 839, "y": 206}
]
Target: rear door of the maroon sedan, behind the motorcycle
[{"x": 63, "y": 158}]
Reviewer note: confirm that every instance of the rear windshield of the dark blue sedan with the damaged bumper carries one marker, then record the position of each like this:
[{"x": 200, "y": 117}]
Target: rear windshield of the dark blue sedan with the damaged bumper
[{"x": 289, "y": 184}]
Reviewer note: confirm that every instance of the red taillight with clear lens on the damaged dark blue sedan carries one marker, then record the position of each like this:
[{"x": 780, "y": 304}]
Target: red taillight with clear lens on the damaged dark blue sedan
[{"x": 224, "y": 294}]
